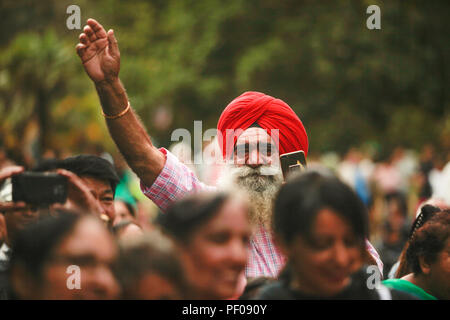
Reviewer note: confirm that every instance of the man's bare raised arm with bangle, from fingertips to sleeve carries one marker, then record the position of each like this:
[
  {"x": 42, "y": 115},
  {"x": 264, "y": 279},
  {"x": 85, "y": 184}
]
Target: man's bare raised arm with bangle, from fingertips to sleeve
[{"x": 100, "y": 56}]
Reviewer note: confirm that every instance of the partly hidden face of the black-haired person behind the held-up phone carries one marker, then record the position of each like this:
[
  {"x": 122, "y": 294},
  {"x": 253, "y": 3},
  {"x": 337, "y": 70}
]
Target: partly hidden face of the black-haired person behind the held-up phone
[{"x": 103, "y": 193}]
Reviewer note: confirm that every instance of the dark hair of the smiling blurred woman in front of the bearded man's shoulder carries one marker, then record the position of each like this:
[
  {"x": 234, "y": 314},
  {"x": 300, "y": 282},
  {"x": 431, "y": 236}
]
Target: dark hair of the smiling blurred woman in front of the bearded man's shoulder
[{"x": 188, "y": 214}]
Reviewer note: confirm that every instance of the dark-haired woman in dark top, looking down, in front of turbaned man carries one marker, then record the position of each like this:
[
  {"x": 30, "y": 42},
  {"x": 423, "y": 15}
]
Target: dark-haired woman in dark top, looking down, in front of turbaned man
[{"x": 320, "y": 224}]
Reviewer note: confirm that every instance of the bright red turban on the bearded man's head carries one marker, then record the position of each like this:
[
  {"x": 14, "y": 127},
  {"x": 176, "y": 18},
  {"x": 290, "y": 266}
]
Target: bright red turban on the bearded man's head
[{"x": 269, "y": 113}]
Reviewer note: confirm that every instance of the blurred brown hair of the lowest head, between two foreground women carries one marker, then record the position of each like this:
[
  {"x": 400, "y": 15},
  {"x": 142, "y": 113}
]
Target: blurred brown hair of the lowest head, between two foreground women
[{"x": 151, "y": 254}]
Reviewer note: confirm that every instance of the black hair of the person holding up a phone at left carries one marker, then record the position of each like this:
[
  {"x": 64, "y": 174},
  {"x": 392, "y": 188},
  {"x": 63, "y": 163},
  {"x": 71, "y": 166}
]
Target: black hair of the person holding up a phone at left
[{"x": 83, "y": 165}]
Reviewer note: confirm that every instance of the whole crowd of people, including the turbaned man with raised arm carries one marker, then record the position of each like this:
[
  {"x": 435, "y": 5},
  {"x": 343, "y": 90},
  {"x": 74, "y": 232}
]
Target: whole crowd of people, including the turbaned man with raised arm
[{"x": 239, "y": 229}]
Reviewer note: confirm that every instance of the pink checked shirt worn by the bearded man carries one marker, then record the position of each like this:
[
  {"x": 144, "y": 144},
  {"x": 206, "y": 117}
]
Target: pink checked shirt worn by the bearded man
[{"x": 177, "y": 180}]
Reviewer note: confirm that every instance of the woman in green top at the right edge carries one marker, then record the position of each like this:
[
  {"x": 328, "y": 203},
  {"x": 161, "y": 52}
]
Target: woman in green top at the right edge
[{"x": 428, "y": 259}]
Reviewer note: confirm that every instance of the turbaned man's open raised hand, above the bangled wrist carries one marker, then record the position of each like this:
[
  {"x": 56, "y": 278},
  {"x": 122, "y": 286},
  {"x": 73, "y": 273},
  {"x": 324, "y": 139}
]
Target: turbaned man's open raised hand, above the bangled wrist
[{"x": 99, "y": 52}]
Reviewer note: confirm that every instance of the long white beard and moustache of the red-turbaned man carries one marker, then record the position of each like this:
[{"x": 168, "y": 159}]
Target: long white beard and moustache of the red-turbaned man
[{"x": 258, "y": 185}]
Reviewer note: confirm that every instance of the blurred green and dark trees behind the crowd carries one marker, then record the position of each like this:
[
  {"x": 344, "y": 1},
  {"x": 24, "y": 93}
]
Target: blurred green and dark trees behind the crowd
[{"x": 185, "y": 60}]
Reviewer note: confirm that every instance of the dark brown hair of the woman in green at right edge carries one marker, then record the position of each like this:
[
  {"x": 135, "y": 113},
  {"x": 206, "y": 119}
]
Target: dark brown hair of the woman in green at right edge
[{"x": 428, "y": 241}]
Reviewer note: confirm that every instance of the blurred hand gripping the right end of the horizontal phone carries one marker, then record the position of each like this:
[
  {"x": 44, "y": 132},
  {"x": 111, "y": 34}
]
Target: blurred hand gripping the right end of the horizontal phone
[{"x": 78, "y": 194}]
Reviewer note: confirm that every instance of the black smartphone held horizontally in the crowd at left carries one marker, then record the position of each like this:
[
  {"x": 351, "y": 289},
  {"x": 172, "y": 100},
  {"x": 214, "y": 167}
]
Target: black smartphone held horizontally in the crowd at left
[{"x": 39, "y": 188}]
